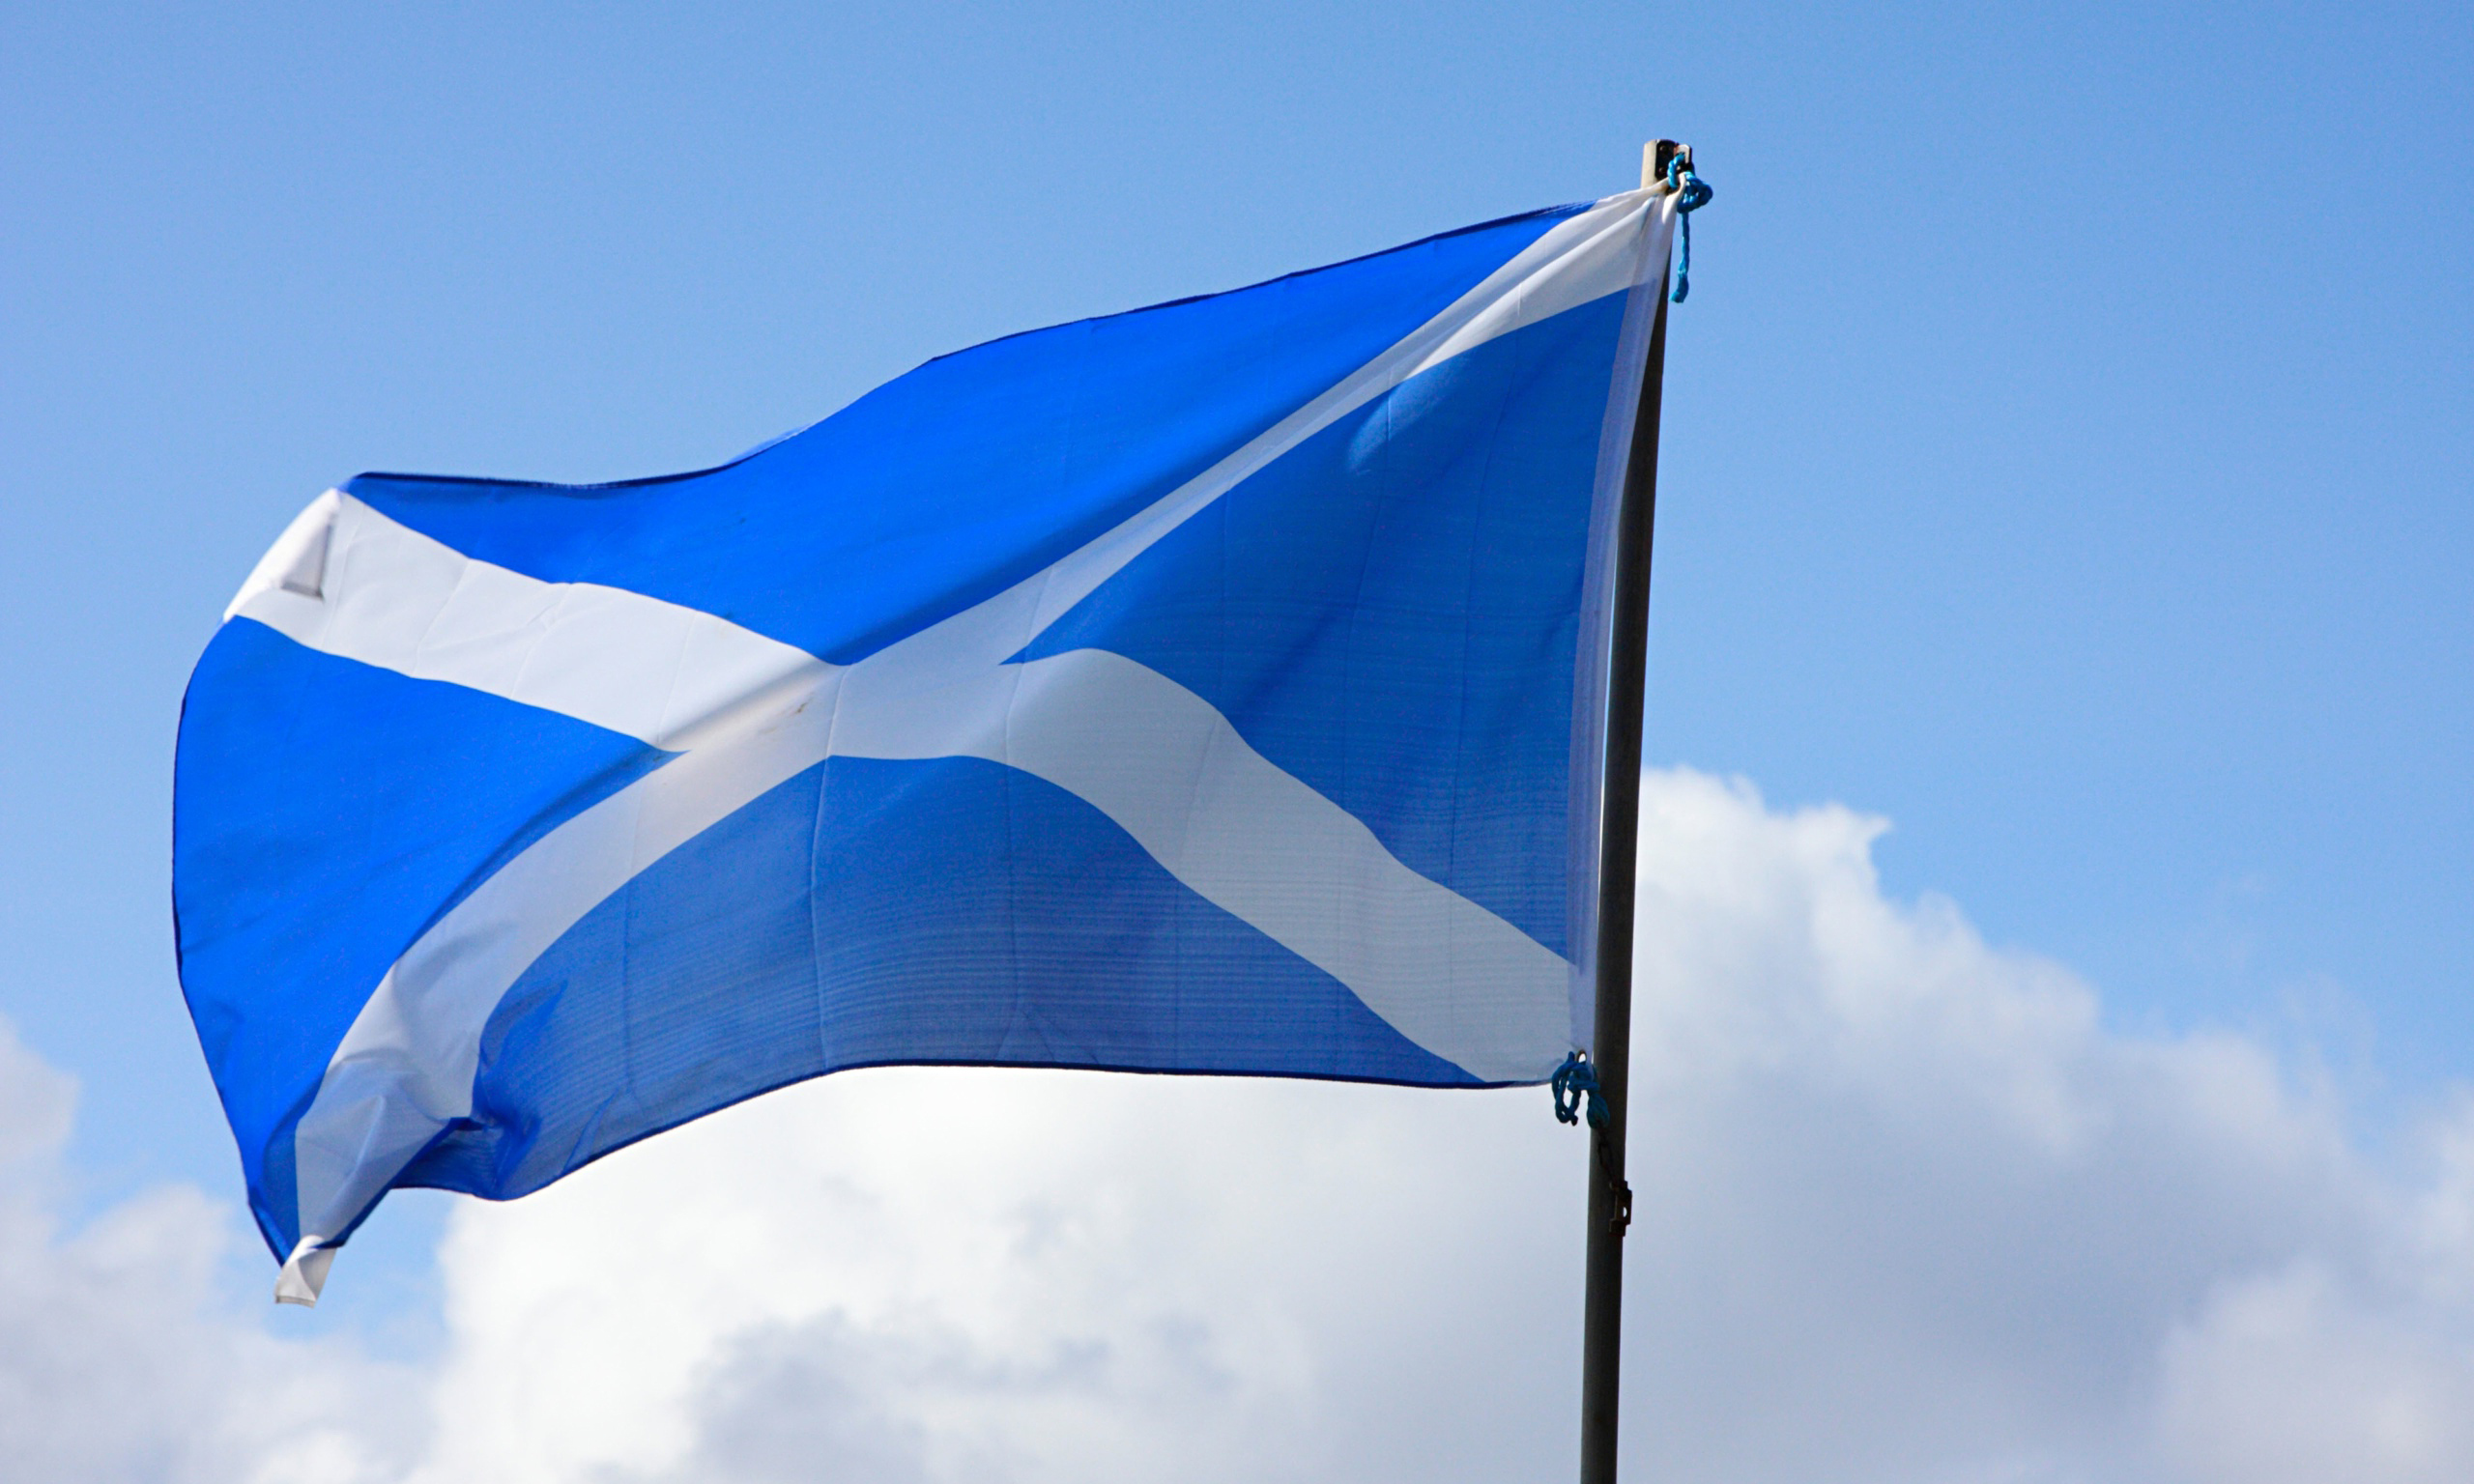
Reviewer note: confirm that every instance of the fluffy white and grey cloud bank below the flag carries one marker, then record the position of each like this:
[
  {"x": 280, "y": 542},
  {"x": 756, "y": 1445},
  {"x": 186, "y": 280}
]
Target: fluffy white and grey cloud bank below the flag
[{"x": 1906, "y": 1211}]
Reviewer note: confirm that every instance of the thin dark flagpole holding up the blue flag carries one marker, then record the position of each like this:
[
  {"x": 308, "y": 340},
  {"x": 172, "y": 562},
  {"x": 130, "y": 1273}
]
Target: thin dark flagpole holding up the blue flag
[{"x": 1619, "y": 840}]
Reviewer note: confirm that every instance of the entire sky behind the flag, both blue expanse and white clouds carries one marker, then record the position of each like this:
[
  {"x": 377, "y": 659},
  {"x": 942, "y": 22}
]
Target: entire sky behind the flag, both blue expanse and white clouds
[{"x": 2062, "y": 625}]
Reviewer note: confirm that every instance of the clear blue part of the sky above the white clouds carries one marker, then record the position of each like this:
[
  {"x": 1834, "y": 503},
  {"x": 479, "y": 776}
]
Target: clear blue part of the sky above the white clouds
[{"x": 2067, "y": 456}]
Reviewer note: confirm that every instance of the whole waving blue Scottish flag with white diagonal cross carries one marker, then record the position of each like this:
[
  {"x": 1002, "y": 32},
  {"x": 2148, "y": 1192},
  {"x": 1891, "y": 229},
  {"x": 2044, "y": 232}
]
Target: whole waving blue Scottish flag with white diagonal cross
[{"x": 1204, "y": 689}]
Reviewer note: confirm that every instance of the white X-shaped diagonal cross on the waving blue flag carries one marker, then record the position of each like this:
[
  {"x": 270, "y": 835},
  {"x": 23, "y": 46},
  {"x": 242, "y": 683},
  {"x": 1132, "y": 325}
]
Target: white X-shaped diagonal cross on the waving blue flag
[{"x": 751, "y": 714}]
